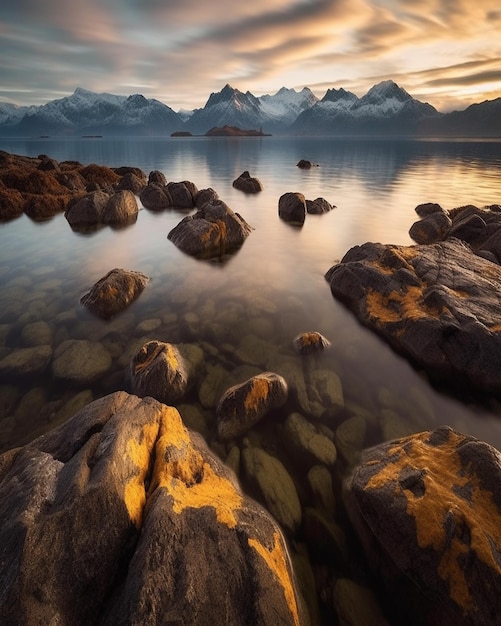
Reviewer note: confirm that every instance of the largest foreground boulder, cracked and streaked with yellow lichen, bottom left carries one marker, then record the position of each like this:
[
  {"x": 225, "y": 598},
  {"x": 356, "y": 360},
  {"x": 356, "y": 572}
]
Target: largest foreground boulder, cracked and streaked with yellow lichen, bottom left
[{"x": 122, "y": 516}]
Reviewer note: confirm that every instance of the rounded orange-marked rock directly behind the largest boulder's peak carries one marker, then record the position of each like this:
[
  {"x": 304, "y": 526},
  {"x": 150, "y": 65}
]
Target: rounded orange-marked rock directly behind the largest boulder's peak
[{"x": 159, "y": 370}]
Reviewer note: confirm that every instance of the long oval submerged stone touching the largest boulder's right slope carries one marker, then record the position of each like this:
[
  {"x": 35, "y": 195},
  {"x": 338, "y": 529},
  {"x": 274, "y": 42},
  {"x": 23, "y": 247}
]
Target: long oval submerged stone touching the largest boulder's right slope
[{"x": 273, "y": 485}]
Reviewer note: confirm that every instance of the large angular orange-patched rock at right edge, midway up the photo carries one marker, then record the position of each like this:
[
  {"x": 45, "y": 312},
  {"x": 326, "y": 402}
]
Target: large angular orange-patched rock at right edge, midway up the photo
[{"x": 438, "y": 305}]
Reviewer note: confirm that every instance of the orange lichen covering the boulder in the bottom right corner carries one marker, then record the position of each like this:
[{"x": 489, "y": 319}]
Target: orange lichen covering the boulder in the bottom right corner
[{"x": 441, "y": 507}]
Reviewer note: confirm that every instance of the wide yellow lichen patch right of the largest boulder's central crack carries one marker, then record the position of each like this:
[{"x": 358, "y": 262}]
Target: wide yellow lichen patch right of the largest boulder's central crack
[{"x": 191, "y": 481}]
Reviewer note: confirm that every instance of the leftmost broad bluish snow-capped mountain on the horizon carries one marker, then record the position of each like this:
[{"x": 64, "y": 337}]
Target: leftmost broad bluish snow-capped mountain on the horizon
[{"x": 88, "y": 112}]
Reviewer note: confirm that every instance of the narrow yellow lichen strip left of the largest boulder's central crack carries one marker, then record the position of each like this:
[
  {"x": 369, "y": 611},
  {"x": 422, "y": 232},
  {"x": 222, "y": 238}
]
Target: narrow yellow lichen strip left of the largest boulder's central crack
[{"x": 139, "y": 452}]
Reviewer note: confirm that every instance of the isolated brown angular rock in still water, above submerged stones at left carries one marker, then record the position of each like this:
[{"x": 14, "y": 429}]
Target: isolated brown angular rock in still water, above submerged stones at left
[{"x": 114, "y": 292}]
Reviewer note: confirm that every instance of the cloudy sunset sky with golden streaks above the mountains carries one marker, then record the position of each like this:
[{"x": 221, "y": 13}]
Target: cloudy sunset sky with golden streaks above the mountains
[{"x": 445, "y": 52}]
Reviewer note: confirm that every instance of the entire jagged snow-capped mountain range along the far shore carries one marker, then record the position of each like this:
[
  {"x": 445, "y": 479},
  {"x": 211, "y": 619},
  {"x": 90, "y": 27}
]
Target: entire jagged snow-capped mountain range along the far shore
[{"x": 385, "y": 110}]
